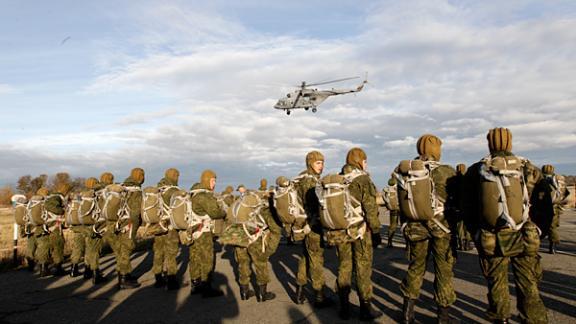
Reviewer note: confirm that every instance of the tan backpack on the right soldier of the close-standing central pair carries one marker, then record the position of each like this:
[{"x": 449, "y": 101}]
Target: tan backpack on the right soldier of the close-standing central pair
[{"x": 339, "y": 209}]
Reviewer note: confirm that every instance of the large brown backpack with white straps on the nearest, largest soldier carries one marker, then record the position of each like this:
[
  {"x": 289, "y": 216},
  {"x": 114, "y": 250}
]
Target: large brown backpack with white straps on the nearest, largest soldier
[{"x": 504, "y": 199}]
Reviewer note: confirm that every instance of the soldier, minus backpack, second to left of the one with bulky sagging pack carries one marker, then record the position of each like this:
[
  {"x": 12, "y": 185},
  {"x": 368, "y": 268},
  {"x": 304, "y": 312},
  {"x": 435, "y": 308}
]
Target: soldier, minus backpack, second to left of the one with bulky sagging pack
[{"x": 166, "y": 239}]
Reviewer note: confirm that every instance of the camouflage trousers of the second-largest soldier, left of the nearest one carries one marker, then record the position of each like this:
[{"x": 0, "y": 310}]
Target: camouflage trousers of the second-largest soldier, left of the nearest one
[{"x": 422, "y": 242}]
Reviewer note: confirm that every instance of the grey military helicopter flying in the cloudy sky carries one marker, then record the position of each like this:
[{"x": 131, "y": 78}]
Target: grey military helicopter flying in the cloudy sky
[{"x": 306, "y": 98}]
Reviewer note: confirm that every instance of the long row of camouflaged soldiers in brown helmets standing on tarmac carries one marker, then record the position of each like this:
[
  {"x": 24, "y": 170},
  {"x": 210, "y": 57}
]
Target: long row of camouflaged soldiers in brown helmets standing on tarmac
[{"x": 458, "y": 217}]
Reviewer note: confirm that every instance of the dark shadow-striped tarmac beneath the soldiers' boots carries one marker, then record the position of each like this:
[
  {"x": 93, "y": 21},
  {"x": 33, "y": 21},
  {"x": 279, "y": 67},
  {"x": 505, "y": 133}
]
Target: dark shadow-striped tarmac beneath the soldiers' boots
[{"x": 25, "y": 298}]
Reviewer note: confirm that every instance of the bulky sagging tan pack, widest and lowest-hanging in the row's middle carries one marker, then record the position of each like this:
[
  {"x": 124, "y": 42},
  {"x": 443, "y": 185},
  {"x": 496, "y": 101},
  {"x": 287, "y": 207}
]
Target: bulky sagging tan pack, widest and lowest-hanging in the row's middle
[{"x": 246, "y": 224}]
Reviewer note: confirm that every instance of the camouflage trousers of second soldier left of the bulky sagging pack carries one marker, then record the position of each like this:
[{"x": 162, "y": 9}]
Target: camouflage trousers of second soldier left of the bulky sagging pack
[{"x": 165, "y": 252}]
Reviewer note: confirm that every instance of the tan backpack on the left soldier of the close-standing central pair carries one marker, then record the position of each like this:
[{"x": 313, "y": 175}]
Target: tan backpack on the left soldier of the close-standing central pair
[{"x": 288, "y": 204}]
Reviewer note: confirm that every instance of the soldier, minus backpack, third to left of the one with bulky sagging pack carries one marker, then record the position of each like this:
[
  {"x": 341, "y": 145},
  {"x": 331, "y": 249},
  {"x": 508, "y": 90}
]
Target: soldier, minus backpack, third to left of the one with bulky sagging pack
[{"x": 119, "y": 233}]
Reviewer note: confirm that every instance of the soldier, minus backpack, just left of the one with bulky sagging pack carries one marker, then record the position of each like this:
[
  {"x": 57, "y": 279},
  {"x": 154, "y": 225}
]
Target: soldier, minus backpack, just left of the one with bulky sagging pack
[{"x": 202, "y": 258}]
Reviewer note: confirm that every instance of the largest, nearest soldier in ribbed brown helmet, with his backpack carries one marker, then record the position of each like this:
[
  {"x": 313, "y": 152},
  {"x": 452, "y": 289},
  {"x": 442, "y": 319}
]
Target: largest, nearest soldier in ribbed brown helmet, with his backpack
[{"x": 505, "y": 233}]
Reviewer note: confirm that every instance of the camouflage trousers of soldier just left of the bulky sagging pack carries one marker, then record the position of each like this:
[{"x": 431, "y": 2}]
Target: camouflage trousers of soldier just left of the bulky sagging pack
[{"x": 201, "y": 262}]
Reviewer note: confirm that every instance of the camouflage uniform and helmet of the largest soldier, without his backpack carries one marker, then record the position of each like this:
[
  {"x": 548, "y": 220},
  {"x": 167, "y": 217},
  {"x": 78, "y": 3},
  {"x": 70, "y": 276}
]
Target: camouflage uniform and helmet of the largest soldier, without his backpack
[{"x": 498, "y": 247}]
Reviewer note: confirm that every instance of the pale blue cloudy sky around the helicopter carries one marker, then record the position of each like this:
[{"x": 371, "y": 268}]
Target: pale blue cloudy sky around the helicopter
[{"x": 94, "y": 86}]
